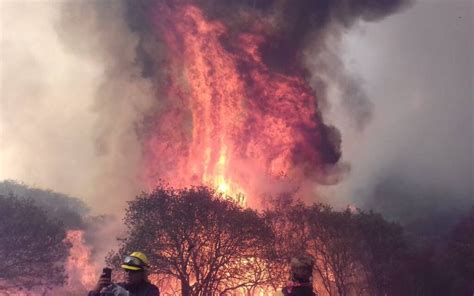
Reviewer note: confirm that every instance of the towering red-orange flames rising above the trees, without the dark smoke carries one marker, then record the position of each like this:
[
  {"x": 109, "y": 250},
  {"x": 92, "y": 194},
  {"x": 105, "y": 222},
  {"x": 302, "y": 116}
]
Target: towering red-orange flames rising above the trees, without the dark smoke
[{"x": 227, "y": 119}]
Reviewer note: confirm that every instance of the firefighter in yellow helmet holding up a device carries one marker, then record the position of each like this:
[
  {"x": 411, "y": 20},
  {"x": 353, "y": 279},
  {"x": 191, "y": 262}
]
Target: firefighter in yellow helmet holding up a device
[{"x": 135, "y": 267}]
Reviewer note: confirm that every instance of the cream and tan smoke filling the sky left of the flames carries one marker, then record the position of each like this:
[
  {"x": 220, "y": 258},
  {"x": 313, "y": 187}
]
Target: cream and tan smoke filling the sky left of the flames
[{"x": 72, "y": 99}]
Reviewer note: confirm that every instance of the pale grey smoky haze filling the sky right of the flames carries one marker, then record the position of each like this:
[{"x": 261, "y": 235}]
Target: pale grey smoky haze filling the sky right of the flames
[{"x": 415, "y": 159}]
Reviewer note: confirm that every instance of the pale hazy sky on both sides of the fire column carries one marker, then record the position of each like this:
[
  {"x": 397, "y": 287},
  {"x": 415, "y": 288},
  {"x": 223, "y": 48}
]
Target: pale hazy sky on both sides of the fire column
[{"x": 416, "y": 67}]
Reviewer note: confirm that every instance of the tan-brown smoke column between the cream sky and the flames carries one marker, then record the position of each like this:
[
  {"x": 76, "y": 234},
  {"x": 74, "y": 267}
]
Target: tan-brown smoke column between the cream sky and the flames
[{"x": 97, "y": 31}]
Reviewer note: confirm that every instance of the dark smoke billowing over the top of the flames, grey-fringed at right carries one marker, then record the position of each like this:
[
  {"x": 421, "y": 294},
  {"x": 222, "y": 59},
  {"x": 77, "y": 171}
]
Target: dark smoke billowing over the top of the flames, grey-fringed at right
[{"x": 304, "y": 33}]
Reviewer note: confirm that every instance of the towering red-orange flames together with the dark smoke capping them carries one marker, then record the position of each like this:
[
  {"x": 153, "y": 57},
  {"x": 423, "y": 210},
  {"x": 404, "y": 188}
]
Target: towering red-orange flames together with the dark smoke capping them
[{"x": 234, "y": 106}]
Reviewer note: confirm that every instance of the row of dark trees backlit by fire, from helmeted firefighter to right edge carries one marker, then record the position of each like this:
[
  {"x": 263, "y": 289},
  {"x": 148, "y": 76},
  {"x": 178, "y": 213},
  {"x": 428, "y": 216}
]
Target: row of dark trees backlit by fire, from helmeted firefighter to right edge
[{"x": 211, "y": 246}]
